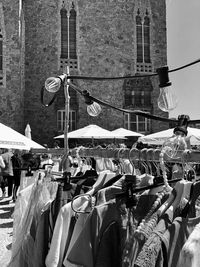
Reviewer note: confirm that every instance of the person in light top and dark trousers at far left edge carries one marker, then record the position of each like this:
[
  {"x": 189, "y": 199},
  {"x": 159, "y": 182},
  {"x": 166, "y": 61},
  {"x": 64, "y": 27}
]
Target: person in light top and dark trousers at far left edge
[{"x": 7, "y": 172}]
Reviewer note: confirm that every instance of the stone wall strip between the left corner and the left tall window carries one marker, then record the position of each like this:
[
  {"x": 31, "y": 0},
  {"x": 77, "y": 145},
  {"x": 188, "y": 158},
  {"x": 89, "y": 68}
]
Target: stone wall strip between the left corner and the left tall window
[{"x": 41, "y": 61}]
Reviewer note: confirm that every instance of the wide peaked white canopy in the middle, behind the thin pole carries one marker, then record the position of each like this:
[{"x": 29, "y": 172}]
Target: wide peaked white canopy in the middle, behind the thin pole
[{"x": 91, "y": 131}]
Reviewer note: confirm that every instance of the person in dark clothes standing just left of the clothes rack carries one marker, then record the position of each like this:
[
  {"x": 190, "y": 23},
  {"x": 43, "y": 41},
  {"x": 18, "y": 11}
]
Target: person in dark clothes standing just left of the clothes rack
[{"x": 17, "y": 165}]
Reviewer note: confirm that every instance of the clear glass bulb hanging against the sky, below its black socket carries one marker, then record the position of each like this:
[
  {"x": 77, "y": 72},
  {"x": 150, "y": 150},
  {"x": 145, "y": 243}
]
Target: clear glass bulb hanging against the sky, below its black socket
[{"x": 167, "y": 101}]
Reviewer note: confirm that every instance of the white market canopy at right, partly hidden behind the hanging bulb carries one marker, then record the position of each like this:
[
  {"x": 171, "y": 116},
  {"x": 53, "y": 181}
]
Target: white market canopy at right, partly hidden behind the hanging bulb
[{"x": 159, "y": 137}]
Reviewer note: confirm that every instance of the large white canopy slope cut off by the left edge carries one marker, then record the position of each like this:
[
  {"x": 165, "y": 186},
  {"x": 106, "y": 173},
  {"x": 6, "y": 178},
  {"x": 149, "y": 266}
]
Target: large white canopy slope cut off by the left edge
[{"x": 10, "y": 138}]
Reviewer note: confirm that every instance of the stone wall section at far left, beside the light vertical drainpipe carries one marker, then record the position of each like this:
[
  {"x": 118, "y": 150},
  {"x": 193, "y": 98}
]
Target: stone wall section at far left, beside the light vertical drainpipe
[{"x": 11, "y": 100}]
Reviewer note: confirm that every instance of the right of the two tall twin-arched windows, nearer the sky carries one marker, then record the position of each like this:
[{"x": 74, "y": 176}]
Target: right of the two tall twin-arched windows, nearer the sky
[{"x": 143, "y": 38}]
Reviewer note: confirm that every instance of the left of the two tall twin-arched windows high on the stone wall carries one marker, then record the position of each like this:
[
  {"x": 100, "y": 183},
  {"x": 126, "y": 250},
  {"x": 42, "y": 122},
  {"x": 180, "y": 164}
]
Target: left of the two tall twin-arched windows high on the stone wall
[{"x": 68, "y": 33}]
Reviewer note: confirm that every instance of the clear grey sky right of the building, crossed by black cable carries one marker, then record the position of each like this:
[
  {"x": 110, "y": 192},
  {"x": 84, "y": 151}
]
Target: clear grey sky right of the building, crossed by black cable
[{"x": 183, "y": 40}]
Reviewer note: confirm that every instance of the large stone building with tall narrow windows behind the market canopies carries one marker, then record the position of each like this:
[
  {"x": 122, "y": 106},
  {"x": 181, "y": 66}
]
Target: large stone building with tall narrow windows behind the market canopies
[{"x": 98, "y": 38}]
